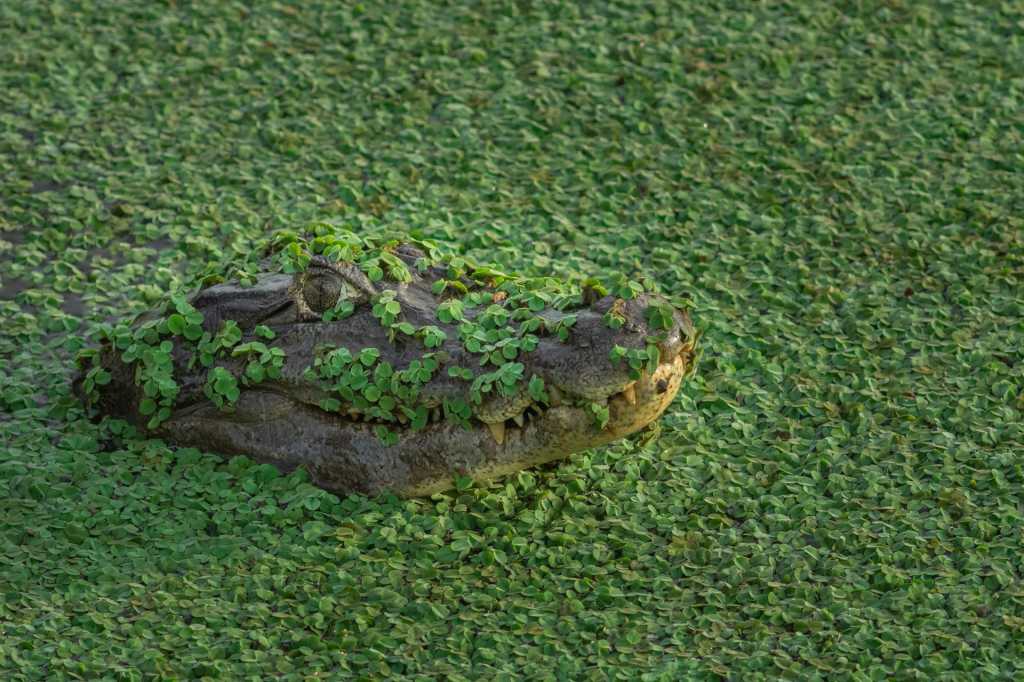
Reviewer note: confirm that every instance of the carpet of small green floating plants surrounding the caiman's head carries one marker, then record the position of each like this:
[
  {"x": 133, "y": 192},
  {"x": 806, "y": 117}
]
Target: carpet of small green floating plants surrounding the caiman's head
[{"x": 837, "y": 187}]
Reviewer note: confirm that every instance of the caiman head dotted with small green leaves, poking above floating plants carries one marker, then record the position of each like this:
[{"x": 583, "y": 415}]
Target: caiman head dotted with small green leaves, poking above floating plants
[{"x": 382, "y": 364}]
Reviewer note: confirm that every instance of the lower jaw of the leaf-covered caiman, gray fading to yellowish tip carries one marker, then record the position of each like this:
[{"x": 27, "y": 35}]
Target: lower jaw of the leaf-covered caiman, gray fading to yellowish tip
[{"x": 347, "y": 456}]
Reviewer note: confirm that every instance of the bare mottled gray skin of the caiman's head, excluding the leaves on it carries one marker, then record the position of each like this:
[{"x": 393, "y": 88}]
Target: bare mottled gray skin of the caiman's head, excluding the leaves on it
[{"x": 280, "y": 421}]
